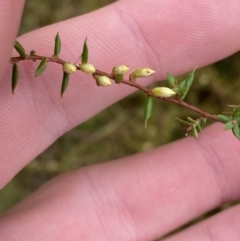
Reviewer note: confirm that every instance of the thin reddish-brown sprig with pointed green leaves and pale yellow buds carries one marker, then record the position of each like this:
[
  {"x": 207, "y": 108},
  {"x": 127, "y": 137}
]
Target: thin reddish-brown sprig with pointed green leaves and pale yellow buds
[{"x": 175, "y": 93}]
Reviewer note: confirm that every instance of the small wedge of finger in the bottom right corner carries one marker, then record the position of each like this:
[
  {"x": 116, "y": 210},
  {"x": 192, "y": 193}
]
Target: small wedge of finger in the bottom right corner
[{"x": 221, "y": 227}]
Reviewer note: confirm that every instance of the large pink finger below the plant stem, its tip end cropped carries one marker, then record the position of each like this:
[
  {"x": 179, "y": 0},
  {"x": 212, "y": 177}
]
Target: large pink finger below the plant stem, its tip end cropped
[{"x": 141, "y": 197}]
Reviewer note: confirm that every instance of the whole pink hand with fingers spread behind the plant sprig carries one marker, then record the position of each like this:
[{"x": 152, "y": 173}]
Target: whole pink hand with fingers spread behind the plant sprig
[{"x": 140, "y": 197}]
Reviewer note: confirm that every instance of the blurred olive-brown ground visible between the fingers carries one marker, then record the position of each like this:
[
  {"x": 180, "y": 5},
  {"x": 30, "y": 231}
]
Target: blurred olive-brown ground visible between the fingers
[{"x": 215, "y": 86}]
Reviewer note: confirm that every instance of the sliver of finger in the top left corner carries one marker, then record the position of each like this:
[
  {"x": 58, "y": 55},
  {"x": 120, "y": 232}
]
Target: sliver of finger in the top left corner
[{"x": 10, "y": 17}]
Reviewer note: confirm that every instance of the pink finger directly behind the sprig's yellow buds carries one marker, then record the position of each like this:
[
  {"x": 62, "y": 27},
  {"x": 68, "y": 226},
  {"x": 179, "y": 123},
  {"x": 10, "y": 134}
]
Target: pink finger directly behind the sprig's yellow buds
[{"x": 36, "y": 116}]
